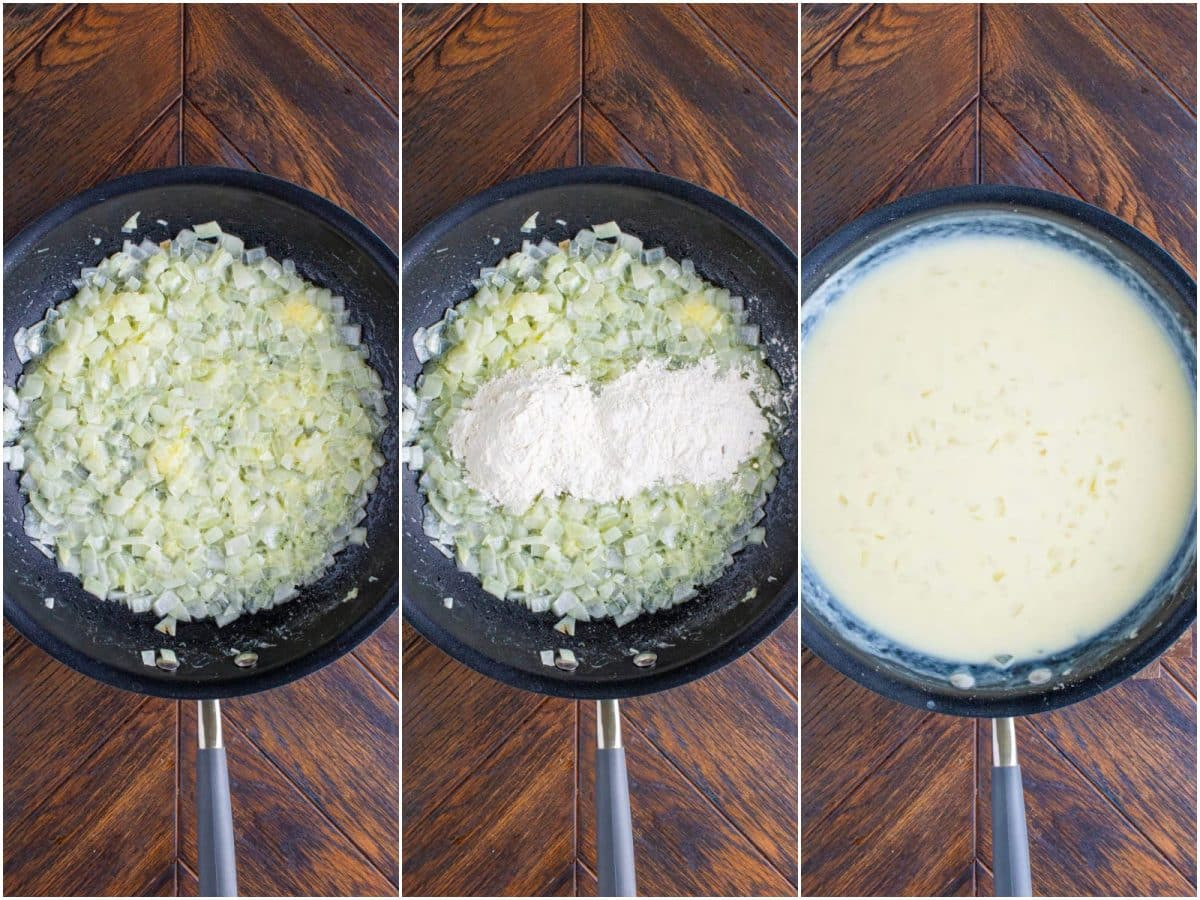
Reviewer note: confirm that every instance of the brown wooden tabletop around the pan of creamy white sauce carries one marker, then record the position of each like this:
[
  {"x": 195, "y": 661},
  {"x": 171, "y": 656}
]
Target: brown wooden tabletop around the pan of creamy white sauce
[{"x": 1097, "y": 103}]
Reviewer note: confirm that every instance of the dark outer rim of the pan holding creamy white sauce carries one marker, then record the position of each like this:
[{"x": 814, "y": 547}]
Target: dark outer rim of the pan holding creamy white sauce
[{"x": 1030, "y": 201}]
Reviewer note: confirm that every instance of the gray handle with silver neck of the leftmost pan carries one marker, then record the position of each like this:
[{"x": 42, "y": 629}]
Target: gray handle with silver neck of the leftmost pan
[{"x": 214, "y": 809}]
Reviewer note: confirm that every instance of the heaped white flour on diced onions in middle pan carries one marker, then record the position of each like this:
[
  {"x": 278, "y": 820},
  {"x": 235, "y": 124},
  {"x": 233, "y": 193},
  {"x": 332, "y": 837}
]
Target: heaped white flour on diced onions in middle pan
[{"x": 545, "y": 431}]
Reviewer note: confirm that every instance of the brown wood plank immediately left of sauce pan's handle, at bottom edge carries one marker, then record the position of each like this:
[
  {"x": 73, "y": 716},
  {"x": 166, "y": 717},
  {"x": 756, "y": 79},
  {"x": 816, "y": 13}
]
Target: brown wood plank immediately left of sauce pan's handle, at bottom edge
[{"x": 908, "y": 829}]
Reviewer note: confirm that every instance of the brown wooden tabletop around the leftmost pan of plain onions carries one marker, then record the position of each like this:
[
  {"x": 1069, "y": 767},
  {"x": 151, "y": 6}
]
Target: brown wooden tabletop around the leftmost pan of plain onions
[{"x": 98, "y": 784}]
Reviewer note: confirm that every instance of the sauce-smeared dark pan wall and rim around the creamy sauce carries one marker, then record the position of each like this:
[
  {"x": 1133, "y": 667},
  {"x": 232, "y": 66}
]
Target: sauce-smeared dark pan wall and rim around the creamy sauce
[{"x": 1168, "y": 609}]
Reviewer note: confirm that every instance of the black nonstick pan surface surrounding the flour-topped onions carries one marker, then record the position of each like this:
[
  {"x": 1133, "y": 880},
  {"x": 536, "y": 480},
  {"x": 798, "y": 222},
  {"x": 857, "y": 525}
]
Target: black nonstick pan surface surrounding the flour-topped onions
[{"x": 502, "y": 639}]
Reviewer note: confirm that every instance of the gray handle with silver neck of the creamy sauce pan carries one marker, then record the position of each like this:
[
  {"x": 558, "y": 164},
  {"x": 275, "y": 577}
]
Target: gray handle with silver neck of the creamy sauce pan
[{"x": 1010, "y": 838}]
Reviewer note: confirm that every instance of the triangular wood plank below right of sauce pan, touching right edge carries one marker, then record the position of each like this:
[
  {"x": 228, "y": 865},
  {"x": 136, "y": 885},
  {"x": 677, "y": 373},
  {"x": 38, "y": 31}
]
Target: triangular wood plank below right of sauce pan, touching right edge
[{"x": 1137, "y": 743}]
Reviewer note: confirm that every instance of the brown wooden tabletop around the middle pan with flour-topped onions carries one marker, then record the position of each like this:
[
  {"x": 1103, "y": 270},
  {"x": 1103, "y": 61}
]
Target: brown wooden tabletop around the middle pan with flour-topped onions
[{"x": 497, "y": 784}]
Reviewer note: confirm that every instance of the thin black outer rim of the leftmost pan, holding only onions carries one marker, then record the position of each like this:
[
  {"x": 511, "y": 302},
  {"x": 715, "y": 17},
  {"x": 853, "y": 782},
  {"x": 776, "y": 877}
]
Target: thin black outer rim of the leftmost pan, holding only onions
[{"x": 386, "y": 260}]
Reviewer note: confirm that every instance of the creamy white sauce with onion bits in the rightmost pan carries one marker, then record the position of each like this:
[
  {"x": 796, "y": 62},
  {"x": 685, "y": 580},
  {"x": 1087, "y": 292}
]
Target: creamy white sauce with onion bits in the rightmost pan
[{"x": 998, "y": 448}]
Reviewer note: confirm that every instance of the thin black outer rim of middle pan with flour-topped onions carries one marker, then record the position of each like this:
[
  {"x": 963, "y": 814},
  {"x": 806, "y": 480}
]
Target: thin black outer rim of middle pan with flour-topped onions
[{"x": 785, "y": 260}]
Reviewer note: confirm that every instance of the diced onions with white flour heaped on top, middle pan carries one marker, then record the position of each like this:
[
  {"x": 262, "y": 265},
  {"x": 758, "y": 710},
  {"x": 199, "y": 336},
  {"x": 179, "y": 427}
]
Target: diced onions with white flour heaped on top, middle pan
[{"x": 593, "y": 429}]
